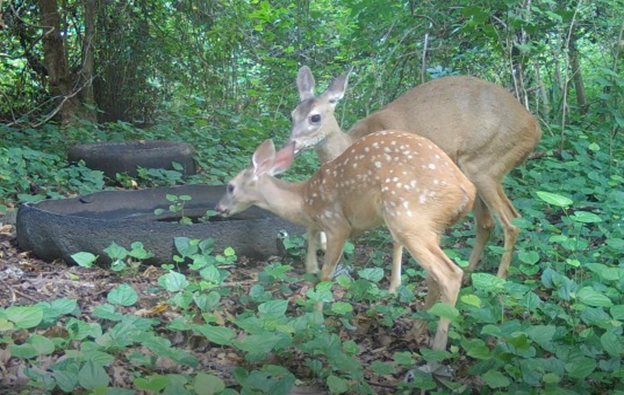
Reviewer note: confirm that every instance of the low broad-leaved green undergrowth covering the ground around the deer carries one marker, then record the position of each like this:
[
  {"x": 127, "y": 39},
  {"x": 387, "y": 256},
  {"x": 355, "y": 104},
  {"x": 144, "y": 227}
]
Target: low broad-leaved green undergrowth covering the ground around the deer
[{"x": 554, "y": 327}]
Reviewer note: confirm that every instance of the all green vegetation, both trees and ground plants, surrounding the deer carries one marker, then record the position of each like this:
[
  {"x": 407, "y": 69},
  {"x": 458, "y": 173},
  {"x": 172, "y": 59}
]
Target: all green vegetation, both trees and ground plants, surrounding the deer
[{"x": 220, "y": 75}]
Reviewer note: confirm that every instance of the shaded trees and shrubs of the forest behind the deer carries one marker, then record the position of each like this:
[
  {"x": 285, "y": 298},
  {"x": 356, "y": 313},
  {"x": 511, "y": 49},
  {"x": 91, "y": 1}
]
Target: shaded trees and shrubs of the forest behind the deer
[{"x": 221, "y": 65}]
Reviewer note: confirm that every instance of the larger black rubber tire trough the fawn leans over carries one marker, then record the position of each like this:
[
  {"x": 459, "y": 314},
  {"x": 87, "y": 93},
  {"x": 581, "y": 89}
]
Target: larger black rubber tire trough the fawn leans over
[{"x": 54, "y": 229}]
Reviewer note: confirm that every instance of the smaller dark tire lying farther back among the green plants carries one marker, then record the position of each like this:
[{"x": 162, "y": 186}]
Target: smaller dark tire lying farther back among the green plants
[{"x": 125, "y": 157}]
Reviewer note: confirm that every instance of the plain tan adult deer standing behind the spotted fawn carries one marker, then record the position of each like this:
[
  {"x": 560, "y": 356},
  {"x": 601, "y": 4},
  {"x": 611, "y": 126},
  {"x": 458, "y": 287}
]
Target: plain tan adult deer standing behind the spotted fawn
[{"x": 479, "y": 125}]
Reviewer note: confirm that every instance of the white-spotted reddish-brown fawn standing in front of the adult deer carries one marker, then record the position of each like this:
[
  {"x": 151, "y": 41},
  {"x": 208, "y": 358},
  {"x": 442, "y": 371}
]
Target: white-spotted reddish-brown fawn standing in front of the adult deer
[{"x": 391, "y": 177}]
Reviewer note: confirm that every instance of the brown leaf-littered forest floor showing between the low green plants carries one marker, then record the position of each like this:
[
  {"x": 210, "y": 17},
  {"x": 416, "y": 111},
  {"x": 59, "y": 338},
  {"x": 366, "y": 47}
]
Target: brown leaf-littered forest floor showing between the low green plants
[{"x": 27, "y": 280}]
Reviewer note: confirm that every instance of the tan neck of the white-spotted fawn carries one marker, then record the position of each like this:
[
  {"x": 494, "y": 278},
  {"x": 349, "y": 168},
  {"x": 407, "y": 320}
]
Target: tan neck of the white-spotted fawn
[{"x": 284, "y": 199}]
